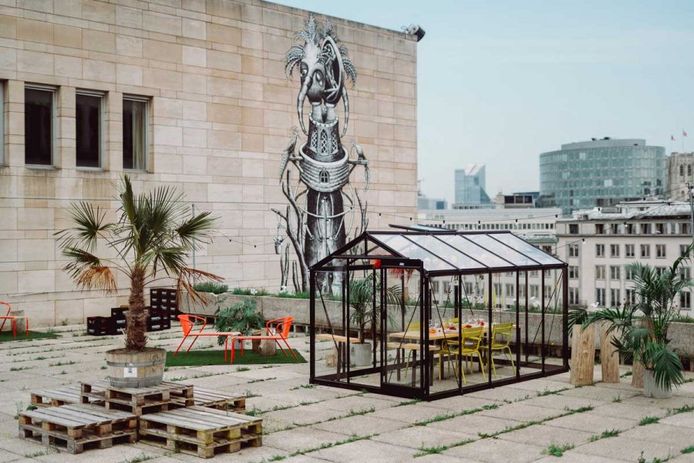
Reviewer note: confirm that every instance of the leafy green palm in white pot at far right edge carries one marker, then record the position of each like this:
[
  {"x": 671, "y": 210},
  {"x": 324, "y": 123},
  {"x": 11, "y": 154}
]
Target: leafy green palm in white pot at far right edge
[{"x": 641, "y": 329}]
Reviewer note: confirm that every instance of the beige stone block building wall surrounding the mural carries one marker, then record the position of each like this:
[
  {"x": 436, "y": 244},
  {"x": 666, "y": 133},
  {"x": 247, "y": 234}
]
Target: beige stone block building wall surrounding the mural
[{"x": 216, "y": 111}]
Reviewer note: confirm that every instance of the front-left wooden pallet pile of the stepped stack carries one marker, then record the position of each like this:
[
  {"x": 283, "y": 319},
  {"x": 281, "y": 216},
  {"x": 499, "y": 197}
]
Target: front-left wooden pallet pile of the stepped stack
[{"x": 76, "y": 428}]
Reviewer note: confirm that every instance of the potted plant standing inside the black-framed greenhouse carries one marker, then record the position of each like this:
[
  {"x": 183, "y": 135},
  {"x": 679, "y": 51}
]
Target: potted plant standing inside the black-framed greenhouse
[{"x": 361, "y": 294}]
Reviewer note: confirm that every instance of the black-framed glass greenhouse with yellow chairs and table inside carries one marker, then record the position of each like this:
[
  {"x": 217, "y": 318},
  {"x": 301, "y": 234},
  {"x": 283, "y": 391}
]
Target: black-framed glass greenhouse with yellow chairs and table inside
[{"x": 431, "y": 314}]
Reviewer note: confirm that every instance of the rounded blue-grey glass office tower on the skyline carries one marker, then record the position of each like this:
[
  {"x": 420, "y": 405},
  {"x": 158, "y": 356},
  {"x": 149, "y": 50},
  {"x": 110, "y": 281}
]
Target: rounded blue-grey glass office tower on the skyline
[{"x": 601, "y": 173}]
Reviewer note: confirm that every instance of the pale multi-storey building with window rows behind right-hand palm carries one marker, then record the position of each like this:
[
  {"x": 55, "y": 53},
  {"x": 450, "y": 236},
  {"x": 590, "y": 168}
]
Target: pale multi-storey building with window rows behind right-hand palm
[{"x": 599, "y": 245}]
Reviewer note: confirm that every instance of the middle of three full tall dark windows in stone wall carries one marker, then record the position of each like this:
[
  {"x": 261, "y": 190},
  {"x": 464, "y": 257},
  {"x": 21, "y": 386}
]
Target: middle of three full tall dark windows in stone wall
[{"x": 88, "y": 128}]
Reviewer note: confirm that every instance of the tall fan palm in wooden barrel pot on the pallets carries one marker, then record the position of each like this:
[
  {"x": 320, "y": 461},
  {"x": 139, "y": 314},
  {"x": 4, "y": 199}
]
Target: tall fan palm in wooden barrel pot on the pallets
[{"x": 150, "y": 239}]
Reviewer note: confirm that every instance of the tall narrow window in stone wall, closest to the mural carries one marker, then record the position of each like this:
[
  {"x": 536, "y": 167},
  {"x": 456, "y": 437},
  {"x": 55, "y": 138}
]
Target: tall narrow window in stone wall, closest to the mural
[{"x": 134, "y": 133}]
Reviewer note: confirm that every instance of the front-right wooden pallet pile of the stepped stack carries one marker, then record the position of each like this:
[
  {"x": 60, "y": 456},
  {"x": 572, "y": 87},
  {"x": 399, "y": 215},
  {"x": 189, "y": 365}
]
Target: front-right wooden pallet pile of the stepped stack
[{"x": 201, "y": 431}]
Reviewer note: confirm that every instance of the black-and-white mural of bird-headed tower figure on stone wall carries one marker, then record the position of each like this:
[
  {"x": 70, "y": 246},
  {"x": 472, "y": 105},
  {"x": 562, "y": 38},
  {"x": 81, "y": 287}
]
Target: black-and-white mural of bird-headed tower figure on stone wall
[{"x": 322, "y": 203}]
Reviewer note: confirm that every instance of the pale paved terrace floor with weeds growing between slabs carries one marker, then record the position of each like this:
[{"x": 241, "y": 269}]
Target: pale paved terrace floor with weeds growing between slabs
[{"x": 512, "y": 424}]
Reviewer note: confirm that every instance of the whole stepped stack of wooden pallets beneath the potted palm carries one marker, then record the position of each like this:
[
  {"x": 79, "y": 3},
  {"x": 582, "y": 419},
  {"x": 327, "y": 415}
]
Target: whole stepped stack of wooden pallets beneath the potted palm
[{"x": 177, "y": 416}]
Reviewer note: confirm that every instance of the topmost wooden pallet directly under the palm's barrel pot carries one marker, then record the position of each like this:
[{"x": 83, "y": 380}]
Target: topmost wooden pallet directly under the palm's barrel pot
[{"x": 138, "y": 401}]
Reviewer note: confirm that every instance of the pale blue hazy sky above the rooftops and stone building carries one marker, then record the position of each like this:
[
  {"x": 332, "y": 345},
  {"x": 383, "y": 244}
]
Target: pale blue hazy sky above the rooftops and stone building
[{"x": 578, "y": 71}]
